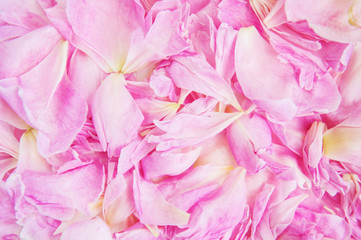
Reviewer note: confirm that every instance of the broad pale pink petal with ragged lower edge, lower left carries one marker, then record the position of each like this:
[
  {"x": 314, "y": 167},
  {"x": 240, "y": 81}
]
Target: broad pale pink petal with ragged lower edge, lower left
[{"x": 65, "y": 192}]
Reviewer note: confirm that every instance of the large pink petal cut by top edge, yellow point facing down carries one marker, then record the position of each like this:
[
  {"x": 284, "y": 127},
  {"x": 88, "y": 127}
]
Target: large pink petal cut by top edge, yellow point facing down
[{"x": 115, "y": 20}]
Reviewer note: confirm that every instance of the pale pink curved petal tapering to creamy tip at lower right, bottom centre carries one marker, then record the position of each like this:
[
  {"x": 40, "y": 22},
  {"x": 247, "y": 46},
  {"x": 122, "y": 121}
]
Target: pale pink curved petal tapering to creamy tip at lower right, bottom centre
[{"x": 151, "y": 206}]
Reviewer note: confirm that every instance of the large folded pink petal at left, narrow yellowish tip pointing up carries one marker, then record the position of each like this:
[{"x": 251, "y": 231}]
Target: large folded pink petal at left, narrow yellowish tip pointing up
[{"x": 56, "y": 132}]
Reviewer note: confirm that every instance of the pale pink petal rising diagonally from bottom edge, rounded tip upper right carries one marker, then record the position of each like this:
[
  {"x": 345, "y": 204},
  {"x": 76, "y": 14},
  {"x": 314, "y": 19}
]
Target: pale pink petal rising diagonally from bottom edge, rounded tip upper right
[{"x": 214, "y": 216}]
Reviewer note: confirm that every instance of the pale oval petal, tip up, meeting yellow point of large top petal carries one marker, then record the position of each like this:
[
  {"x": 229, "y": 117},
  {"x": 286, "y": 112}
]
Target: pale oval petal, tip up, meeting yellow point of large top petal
[{"x": 116, "y": 116}]
